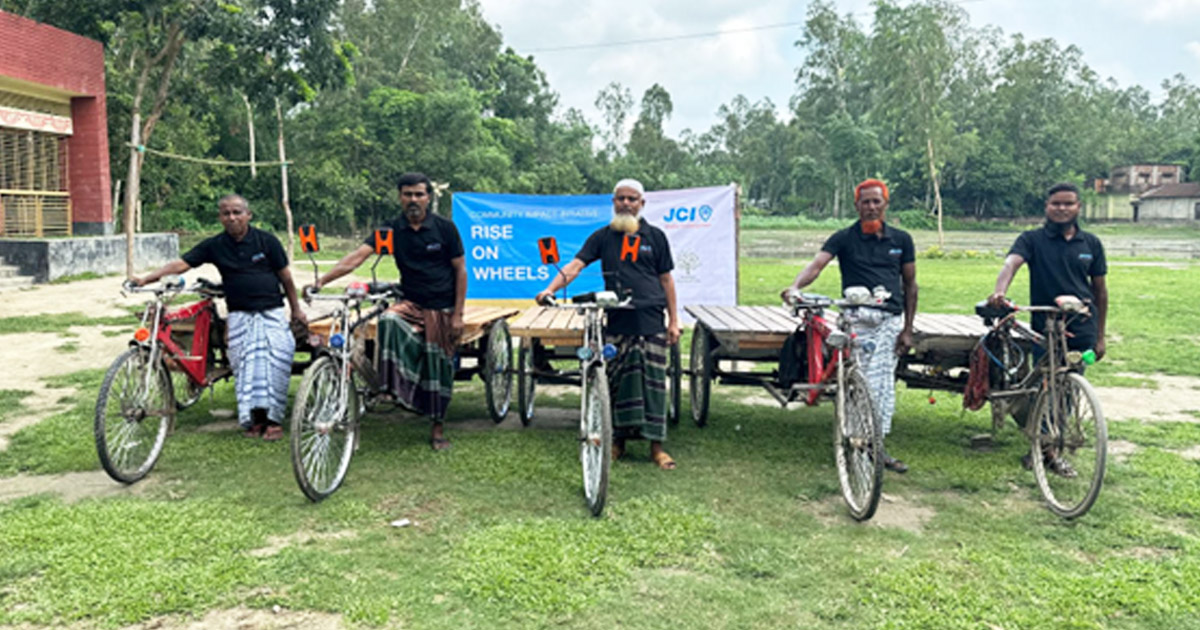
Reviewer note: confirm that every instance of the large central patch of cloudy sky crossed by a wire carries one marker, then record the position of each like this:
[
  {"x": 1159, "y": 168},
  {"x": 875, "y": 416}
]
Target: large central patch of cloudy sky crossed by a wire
[{"x": 700, "y": 74}]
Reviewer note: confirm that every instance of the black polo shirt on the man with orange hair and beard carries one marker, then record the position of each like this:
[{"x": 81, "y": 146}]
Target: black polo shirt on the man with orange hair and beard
[{"x": 871, "y": 261}]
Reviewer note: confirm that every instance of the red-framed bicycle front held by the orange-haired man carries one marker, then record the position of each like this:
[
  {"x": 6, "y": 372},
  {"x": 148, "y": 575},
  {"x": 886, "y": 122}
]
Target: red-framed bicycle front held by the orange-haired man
[{"x": 832, "y": 370}]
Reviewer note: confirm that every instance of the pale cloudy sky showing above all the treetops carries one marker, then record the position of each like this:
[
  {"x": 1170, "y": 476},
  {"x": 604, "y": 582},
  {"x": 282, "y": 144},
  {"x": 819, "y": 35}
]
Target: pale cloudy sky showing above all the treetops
[{"x": 1133, "y": 41}]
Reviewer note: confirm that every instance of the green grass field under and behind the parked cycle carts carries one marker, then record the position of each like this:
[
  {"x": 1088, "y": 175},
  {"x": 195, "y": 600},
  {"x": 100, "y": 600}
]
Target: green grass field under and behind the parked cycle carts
[{"x": 749, "y": 532}]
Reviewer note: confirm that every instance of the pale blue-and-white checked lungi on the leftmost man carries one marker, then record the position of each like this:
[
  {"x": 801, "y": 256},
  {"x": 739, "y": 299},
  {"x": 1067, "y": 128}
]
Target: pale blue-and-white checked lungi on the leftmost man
[{"x": 261, "y": 352}]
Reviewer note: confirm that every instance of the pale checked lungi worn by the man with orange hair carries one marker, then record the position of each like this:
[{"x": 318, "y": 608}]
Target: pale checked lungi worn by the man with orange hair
[{"x": 875, "y": 351}]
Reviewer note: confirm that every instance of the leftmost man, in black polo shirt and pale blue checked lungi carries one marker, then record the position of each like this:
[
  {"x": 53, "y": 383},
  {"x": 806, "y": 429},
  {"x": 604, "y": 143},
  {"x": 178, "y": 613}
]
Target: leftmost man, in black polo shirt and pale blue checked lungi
[{"x": 255, "y": 272}]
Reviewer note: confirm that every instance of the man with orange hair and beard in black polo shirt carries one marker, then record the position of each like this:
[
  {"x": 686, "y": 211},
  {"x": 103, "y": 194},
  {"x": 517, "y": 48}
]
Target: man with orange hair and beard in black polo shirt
[{"x": 880, "y": 257}]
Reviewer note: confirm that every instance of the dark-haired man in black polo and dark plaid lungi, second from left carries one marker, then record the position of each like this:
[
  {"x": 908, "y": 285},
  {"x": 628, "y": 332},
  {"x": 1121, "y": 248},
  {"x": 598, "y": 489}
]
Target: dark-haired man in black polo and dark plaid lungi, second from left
[{"x": 419, "y": 337}]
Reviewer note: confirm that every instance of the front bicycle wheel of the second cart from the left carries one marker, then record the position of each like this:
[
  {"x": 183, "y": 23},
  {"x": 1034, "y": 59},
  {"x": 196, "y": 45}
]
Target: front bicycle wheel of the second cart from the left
[{"x": 325, "y": 429}]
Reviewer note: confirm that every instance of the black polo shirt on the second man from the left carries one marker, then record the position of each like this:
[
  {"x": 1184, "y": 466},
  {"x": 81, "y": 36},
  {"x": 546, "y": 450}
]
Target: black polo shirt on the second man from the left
[{"x": 423, "y": 257}]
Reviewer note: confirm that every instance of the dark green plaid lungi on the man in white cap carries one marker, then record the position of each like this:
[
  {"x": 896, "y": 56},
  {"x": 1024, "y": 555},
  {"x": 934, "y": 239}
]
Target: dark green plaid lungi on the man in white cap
[{"x": 638, "y": 379}]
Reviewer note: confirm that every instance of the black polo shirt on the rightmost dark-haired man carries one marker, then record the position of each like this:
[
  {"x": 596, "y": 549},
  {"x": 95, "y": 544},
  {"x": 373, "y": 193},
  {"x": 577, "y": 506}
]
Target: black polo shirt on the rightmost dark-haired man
[{"x": 1061, "y": 267}]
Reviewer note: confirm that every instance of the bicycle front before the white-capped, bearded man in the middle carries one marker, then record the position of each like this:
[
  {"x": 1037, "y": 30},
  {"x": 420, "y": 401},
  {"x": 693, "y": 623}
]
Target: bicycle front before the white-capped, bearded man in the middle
[{"x": 596, "y": 403}]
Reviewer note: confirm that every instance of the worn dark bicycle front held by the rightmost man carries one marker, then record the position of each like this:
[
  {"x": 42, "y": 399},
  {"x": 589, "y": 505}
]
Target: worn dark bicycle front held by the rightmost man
[{"x": 1066, "y": 416}]
